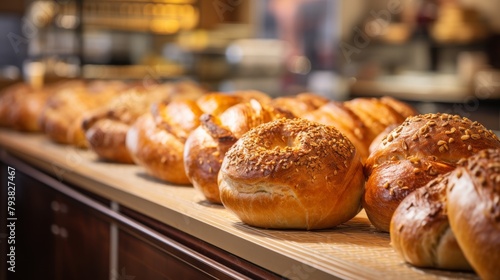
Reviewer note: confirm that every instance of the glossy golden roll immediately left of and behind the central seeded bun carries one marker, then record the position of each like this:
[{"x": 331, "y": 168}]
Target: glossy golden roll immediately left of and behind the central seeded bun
[{"x": 207, "y": 145}]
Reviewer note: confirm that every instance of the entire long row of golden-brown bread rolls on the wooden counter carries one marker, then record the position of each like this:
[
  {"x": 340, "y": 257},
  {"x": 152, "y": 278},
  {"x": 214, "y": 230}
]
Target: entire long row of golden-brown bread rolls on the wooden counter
[{"x": 297, "y": 162}]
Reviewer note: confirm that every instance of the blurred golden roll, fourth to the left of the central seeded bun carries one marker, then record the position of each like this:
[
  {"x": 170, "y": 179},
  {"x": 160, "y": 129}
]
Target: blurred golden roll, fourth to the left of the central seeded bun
[{"x": 63, "y": 113}]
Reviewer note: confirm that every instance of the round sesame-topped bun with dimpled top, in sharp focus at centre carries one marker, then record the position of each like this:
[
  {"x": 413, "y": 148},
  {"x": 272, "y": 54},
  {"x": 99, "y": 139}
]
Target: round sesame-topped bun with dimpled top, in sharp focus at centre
[{"x": 292, "y": 174}]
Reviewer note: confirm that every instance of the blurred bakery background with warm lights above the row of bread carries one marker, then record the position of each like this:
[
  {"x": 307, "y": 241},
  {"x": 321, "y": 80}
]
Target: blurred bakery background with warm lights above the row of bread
[{"x": 443, "y": 55}]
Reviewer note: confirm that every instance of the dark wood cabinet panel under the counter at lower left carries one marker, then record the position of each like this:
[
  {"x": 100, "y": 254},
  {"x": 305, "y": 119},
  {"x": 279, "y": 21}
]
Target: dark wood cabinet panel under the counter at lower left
[{"x": 56, "y": 237}]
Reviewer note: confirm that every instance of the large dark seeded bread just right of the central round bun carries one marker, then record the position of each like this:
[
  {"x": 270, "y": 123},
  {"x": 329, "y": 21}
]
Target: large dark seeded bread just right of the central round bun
[{"x": 413, "y": 154}]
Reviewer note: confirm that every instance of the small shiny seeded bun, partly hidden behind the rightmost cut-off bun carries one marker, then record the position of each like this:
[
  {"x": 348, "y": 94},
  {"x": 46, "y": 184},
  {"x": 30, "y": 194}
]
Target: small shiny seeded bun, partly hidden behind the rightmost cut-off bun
[{"x": 421, "y": 233}]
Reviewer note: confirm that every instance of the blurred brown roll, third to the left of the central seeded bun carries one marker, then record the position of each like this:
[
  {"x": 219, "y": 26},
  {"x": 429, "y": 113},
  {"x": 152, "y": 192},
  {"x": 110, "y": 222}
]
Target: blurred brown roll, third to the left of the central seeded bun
[{"x": 106, "y": 128}]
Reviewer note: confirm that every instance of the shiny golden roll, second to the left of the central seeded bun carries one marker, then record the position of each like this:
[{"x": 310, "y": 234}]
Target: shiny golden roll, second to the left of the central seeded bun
[{"x": 156, "y": 140}]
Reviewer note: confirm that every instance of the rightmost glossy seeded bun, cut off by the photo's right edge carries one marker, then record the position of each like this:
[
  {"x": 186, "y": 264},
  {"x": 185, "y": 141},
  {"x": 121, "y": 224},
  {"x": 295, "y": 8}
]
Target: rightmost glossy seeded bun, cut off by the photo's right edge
[{"x": 474, "y": 211}]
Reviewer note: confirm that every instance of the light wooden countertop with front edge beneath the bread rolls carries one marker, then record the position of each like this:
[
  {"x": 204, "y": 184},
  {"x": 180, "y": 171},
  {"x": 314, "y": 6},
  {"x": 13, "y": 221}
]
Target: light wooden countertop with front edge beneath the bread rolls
[{"x": 353, "y": 250}]
